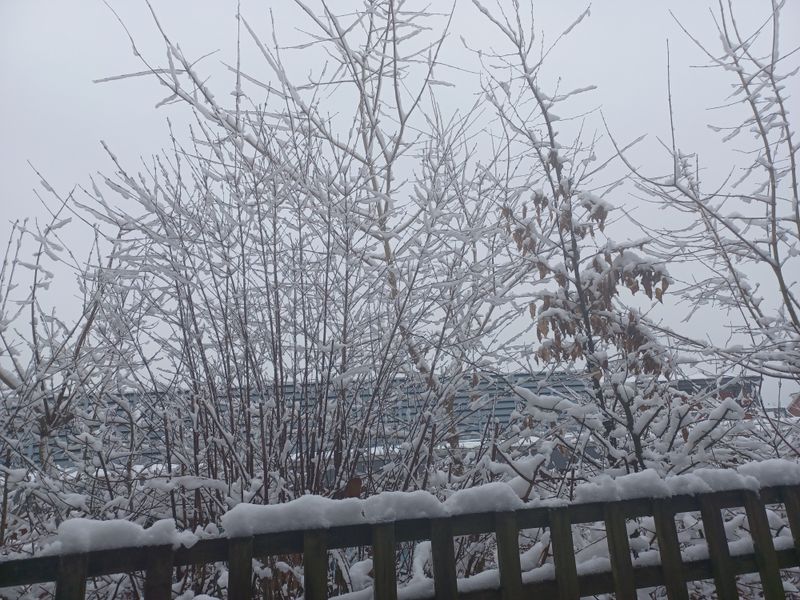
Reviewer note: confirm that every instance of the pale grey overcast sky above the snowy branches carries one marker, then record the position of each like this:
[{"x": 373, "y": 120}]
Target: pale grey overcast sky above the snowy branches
[{"x": 55, "y": 117}]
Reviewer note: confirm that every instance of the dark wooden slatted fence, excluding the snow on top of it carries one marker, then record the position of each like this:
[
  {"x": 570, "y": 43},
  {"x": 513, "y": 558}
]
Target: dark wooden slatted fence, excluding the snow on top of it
[{"x": 624, "y": 578}]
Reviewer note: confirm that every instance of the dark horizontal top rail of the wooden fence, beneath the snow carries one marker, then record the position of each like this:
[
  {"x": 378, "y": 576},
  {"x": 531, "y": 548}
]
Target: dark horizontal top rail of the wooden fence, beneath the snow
[{"x": 23, "y": 571}]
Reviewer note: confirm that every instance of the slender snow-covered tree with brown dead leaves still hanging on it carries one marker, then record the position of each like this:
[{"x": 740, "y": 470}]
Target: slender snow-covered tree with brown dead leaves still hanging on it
[{"x": 587, "y": 322}]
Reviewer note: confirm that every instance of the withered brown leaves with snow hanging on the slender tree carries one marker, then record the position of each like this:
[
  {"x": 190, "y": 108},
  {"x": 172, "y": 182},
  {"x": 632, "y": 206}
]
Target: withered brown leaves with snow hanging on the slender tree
[{"x": 567, "y": 315}]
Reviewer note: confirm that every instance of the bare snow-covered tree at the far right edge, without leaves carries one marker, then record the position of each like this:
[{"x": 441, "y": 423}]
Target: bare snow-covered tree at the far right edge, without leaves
[{"x": 744, "y": 230}]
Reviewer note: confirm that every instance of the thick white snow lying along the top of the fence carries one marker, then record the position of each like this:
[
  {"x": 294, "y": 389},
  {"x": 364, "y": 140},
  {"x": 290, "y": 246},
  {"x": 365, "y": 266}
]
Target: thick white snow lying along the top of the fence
[{"x": 310, "y": 512}]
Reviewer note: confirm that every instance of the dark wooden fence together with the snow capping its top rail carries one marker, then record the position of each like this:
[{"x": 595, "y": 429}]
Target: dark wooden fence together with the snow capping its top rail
[{"x": 312, "y": 526}]
